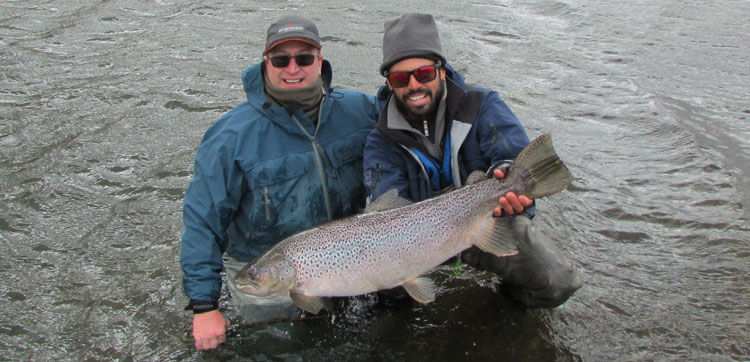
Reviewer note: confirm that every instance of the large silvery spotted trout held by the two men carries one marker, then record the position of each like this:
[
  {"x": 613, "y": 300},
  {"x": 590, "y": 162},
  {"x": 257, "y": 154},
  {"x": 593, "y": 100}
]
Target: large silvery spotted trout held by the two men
[{"x": 394, "y": 243}]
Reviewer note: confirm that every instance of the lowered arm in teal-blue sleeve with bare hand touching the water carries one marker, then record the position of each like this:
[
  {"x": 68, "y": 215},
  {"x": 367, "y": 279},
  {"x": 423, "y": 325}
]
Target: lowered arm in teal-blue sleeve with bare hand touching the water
[{"x": 209, "y": 206}]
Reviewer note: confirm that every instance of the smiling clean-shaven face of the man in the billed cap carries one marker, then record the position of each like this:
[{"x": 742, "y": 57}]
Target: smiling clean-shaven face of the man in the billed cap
[{"x": 293, "y": 75}]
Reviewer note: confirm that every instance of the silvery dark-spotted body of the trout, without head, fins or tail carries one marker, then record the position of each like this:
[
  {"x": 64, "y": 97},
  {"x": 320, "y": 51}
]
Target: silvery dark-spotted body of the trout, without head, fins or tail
[{"x": 364, "y": 252}]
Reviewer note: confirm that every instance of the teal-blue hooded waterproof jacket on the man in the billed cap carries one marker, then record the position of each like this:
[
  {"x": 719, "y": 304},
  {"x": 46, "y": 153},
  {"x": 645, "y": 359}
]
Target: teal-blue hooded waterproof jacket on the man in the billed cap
[{"x": 262, "y": 174}]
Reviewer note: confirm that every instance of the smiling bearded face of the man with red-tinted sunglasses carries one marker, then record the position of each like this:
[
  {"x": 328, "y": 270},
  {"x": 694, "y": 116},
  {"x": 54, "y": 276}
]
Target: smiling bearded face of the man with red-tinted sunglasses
[{"x": 417, "y": 99}]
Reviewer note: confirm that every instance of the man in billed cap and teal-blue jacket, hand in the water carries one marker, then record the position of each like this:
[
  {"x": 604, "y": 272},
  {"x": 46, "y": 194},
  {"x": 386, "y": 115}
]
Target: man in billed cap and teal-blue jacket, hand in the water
[{"x": 287, "y": 159}]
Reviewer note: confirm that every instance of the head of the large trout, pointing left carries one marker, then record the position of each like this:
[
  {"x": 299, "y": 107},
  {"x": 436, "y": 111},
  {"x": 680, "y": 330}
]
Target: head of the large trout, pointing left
[{"x": 266, "y": 276}]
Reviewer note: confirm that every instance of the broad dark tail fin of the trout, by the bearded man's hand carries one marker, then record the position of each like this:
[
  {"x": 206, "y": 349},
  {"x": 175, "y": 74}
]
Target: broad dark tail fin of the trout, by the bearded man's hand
[{"x": 540, "y": 167}]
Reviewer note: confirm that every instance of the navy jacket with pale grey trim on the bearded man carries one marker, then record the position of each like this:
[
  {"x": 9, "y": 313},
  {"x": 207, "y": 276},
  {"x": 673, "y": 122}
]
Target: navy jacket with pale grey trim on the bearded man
[{"x": 483, "y": 131}]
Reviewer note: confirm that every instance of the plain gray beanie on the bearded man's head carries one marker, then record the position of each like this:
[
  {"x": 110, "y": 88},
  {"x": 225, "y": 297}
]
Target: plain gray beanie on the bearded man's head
[{"x": 410, "y": 36}]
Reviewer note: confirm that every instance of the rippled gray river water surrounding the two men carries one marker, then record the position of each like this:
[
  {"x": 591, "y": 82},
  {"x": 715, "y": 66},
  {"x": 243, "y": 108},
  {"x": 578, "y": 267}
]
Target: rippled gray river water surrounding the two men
[{"x": 103, "y": 104}]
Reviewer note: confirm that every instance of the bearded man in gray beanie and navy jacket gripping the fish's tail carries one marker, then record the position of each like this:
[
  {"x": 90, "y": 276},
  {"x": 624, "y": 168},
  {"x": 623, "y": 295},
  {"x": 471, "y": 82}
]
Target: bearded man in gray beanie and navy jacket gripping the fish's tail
[{"x": 433, "y": 132}]
